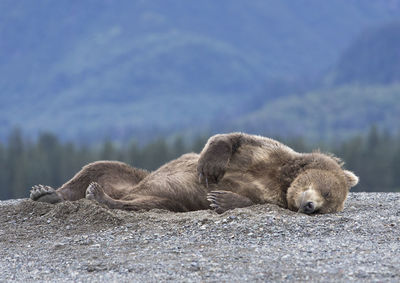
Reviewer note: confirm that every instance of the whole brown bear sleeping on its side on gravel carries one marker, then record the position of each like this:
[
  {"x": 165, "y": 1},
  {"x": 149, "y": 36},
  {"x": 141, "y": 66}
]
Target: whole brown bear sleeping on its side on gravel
[{"x": 233, "y": 170}]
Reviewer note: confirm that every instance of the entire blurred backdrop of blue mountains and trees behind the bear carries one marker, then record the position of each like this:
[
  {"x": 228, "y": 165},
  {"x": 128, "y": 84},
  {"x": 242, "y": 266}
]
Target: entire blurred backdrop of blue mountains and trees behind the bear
[{"x": 145, "y": 81}]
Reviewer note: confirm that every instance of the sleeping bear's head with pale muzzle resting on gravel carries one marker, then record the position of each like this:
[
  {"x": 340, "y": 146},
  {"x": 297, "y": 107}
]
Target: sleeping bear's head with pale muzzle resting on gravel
[{"x": 321, "y": 190}]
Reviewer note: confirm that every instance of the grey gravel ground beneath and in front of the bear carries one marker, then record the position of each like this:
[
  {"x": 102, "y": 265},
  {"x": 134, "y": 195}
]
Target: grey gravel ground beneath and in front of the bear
[{"x": 83, "y": 241}]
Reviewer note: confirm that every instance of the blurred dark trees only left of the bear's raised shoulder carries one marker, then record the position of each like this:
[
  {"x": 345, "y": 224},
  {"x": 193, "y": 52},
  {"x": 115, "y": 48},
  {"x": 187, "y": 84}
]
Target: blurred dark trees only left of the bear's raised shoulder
[{"x": 48, "y": 161}]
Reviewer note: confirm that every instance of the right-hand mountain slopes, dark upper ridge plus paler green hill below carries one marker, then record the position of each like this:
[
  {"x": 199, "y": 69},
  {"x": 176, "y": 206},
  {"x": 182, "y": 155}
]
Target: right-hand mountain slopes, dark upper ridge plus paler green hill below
[{"x": 362, "y": 89}]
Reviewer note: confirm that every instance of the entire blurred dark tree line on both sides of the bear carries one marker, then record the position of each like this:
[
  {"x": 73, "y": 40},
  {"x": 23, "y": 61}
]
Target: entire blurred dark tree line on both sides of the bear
[{"x": 375, "y": 158}]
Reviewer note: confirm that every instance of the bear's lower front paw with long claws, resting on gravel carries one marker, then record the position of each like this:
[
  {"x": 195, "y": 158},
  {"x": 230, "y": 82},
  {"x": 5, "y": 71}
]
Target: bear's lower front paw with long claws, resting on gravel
[{"x": 222, "y": 201}]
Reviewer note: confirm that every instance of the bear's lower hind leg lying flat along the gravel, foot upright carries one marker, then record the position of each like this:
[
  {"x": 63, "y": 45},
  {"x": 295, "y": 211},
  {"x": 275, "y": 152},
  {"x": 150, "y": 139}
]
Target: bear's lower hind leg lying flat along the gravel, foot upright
[{"x": 96, "y": 192}]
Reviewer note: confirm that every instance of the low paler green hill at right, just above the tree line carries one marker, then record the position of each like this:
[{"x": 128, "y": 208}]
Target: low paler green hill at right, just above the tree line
[{"x": 328, "y": 114}]
